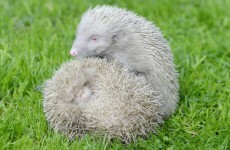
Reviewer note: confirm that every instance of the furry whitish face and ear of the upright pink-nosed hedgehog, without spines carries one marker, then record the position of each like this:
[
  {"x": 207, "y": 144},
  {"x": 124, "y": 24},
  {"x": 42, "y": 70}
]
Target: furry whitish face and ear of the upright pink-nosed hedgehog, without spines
[{"x": 94, "y": 40}]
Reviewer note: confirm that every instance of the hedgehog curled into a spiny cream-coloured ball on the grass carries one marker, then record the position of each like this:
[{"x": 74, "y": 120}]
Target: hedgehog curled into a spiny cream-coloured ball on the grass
[{"x": 102, "y": 98}]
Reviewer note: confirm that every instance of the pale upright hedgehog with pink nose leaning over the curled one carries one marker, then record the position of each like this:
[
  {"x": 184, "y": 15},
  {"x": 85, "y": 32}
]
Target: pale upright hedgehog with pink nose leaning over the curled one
[{"x": 118, "y": 34}]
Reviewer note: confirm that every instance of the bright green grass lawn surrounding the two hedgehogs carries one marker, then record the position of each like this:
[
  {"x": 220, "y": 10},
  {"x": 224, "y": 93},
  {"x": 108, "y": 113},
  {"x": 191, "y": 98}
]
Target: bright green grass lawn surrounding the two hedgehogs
[{"x": 35, "y": 38}]
